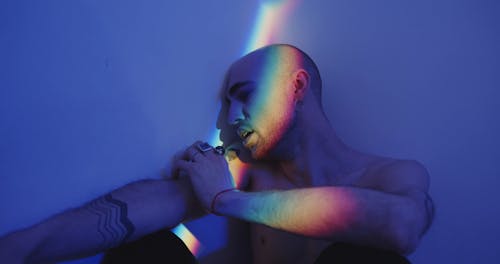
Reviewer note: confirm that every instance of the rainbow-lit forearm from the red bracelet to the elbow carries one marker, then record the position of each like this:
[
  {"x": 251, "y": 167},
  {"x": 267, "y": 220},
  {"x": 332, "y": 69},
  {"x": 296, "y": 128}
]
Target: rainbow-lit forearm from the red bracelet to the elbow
[{"x": 333, "y": 213}]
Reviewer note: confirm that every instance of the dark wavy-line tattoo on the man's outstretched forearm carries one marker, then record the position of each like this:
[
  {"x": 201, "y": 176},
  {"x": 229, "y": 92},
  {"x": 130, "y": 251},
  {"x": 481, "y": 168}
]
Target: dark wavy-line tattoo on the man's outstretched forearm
[{"x": 113, "y": 223}]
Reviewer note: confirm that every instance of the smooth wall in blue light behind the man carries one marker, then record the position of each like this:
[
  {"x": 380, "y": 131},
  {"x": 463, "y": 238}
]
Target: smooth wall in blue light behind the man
[{"x": 96, "y": 94}]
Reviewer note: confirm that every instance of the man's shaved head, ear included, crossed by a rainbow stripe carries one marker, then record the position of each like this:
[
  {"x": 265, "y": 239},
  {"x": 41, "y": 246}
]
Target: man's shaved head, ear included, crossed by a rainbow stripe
[{"x": 262, "y": 93}]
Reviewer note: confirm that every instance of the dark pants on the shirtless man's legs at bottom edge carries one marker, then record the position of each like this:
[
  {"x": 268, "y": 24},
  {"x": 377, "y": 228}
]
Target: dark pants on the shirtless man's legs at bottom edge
[{"x": 165, "y": 247}]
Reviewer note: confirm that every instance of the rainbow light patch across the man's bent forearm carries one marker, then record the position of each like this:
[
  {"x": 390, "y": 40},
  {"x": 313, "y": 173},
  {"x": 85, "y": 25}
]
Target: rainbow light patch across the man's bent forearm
[{"x": 334, "y": 210}]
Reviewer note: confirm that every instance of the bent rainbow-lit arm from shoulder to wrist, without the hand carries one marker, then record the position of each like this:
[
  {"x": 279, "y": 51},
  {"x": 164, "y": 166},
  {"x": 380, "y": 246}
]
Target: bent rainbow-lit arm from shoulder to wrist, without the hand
[{"x": 393, "y": 218}]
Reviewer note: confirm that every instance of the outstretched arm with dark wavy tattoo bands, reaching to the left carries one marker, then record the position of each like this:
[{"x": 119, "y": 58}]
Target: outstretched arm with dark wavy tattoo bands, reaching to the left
[{"x": 122, "y": 215}]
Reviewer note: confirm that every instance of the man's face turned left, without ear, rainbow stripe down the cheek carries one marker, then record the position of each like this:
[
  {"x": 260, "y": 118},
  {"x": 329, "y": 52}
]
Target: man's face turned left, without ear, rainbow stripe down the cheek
[{"x": 259, "y": 102}]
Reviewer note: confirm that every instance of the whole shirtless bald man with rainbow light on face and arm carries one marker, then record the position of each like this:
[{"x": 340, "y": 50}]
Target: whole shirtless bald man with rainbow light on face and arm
[{"x": 302, "y": 188}]
